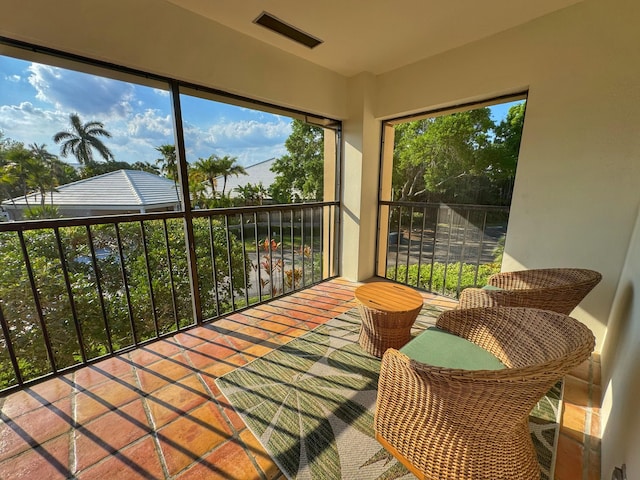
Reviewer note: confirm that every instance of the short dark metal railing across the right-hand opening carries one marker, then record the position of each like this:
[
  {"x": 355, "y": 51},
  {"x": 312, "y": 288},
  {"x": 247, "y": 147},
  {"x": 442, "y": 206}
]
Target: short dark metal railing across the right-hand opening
[{"x": 441, "y": 248}]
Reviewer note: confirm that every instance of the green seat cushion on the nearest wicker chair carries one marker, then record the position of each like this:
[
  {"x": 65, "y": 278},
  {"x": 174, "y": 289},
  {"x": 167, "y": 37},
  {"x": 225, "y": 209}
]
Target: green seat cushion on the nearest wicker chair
[{"x": 443, "y": 349}]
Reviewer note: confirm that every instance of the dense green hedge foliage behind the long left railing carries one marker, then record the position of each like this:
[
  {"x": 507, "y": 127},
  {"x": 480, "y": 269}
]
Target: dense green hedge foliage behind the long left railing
[{"x": 138, "y": 302}]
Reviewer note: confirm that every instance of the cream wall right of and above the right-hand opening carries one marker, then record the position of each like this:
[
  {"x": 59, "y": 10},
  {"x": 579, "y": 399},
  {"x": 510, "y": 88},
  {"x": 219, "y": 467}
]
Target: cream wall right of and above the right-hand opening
[{"x": 578, "y": 181}]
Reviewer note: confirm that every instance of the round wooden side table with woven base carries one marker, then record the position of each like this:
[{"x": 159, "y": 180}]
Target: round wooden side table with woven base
[{"x": 388, "y": 311}]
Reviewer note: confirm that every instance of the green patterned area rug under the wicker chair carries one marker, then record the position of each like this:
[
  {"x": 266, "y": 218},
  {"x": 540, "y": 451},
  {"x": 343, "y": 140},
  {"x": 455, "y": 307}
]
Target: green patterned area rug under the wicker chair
[{"x": 311, "y": 405}]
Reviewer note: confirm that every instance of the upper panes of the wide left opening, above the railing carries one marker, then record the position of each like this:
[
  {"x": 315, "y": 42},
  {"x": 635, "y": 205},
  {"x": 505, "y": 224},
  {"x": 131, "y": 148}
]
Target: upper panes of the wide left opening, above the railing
[{"x": 65, "y": 122}]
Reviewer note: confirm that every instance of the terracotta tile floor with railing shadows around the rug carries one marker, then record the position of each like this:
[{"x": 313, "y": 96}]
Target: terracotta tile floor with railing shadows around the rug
[{"x": 156, "y": 413}]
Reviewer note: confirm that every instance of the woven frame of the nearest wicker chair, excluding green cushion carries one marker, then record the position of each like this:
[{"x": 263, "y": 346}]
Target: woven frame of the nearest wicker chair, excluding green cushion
[{"x": 469, "y": 424}]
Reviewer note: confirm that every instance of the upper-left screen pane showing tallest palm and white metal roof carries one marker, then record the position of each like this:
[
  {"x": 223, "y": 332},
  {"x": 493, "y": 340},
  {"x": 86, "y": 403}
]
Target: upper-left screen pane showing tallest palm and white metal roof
[{"x": 79, "y": 144}]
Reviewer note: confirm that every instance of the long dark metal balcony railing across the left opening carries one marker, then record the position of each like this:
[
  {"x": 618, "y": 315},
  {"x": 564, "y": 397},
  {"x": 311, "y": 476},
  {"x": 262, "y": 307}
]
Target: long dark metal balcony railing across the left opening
[{"x": 73, "y": 291}]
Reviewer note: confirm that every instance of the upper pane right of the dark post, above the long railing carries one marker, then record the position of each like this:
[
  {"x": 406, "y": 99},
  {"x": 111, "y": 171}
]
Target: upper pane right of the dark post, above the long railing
[{"x": 244, "y": 156}]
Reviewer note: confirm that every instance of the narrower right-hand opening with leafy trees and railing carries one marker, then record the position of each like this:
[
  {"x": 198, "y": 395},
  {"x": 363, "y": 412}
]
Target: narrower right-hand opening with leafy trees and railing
[{"x": 446, "y": 187}]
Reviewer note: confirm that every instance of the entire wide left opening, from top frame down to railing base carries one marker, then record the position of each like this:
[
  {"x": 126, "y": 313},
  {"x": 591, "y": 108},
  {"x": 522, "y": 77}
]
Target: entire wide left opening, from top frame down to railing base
[{"x": 107, "y": 160}]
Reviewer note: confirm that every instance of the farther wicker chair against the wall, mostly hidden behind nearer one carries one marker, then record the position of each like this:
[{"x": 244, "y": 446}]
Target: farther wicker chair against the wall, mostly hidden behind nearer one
[{"x": 556, "y": 289}]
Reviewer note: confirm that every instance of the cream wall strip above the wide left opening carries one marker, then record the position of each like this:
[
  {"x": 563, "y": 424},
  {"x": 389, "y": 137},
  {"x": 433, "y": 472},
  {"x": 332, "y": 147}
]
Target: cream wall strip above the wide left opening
[{"x": 161, "y": 38}]
